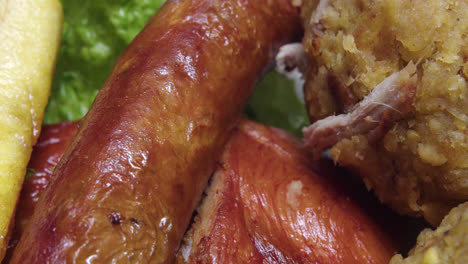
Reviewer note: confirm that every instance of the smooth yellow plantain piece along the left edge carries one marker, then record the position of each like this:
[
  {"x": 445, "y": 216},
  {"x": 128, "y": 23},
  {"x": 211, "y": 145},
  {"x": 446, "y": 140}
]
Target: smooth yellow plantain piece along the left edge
[{"x": 30, "y": 32}]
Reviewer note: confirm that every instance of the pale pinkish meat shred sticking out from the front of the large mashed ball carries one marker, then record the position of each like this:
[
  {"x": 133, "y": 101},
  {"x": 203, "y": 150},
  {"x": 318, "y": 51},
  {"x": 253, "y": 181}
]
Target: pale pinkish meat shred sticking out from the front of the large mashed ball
[{"x": 388, "y": 102}]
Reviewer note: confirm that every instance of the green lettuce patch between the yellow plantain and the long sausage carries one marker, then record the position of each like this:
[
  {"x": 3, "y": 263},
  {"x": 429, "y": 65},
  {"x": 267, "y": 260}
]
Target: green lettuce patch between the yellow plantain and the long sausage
[{"x": 95, "y": 33}]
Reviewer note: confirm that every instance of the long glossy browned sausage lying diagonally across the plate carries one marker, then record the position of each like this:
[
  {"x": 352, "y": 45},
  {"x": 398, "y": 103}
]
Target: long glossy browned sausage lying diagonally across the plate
[{"x": 126, "y": 189}]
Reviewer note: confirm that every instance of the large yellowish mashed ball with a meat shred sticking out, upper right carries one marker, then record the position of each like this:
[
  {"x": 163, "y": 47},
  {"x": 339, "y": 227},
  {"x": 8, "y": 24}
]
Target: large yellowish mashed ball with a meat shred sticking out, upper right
[{"x": 394, "y": 74}]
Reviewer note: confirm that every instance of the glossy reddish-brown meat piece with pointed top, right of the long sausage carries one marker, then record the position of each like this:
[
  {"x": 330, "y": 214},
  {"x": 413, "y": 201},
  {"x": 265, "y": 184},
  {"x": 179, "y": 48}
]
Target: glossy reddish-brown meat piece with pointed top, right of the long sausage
[{"x": 270, "y": 203}]
